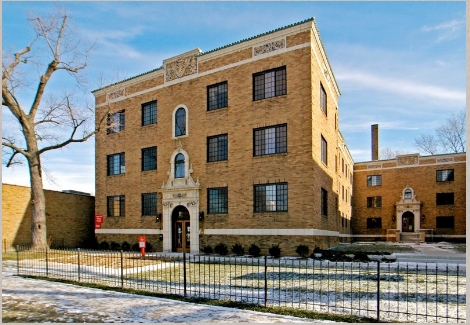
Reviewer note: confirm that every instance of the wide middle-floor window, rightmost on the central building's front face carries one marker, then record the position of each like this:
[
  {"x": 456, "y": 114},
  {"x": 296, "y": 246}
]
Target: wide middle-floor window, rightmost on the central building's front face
[{"x": 270, "y": 140}]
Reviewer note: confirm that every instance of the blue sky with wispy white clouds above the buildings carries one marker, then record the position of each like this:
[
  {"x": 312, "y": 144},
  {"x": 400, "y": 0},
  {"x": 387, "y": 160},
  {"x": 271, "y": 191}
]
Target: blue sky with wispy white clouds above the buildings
[{"x": 398, "y": 64}]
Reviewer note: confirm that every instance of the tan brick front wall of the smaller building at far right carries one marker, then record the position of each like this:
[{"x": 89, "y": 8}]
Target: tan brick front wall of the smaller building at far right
[{"x": 419, "y": 175}]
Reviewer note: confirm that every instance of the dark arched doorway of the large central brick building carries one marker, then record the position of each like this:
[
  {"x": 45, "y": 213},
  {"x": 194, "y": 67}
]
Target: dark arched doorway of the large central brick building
[{"x": 181, "y": 229}]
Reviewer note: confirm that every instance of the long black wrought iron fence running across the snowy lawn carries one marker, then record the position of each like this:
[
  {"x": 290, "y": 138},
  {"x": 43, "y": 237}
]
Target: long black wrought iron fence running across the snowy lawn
[{"x": 402, "y": 292}]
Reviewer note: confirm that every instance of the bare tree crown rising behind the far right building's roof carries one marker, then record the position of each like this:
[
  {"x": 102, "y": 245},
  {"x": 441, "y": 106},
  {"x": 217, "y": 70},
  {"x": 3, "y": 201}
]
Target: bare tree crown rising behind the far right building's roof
[{"x": 450, "y": 137}]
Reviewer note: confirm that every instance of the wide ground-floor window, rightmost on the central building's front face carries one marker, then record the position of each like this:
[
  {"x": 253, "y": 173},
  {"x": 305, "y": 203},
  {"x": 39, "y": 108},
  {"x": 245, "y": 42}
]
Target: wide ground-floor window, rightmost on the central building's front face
[{"x": 270, "y": 198}]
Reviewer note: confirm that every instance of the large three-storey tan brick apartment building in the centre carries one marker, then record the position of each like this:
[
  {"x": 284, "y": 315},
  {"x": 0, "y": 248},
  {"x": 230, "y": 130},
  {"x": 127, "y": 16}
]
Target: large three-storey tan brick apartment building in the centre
[{"x": 238, "y": 144}]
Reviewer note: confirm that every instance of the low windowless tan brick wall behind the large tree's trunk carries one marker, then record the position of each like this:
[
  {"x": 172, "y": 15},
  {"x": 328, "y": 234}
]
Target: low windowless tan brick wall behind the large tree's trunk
[{"x": 70, "y": 217}]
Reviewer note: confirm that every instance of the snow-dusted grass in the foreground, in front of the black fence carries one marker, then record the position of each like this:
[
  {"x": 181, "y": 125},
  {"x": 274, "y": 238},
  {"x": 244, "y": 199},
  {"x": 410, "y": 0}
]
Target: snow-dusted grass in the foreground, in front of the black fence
[{"x": 32, "y": 300}]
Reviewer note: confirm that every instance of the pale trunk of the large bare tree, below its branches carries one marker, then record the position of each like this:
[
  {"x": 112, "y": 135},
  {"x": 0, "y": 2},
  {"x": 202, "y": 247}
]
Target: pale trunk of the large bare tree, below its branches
[{"x": 38, "y": 203}]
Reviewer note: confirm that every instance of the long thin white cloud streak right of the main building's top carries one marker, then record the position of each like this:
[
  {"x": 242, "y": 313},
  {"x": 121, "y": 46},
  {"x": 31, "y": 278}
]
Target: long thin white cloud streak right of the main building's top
[{"x": 402, "y": 86}]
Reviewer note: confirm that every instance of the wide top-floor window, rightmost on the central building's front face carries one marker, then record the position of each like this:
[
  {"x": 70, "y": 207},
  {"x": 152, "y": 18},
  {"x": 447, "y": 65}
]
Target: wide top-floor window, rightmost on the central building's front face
[{"x": 269, "y": 83}]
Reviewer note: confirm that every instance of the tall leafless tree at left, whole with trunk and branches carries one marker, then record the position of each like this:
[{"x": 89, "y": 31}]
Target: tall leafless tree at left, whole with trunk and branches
[{"x": 50, "y": 121}]
